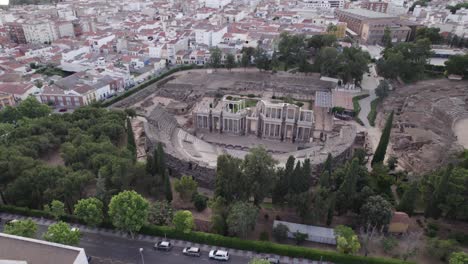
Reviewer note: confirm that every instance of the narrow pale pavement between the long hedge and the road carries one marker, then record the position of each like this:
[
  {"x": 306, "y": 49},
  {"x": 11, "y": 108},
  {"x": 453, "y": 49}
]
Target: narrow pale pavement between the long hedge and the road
[{"x": 153, "y": 239}]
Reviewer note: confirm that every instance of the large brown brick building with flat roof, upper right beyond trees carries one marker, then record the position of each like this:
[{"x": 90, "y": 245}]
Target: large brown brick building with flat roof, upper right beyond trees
[{"x": 370, "y": 25}]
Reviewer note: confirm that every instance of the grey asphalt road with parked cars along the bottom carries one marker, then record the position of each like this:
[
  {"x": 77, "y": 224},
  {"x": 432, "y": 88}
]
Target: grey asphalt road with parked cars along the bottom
[{"x": 110, "y": 246}]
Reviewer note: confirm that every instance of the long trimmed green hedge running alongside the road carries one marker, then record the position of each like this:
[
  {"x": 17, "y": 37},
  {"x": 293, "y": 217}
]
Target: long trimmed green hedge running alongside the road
[{"x": 228, "y": 242}]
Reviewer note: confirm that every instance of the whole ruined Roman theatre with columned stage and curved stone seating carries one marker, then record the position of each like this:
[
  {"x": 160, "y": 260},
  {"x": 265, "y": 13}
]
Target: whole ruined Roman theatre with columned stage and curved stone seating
[{"x": 198, "y": 115}]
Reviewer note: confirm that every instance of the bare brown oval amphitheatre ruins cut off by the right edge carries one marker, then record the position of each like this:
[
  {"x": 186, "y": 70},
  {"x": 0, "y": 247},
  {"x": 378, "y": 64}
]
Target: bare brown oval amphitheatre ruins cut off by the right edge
[{"x": 430, "y": 123}]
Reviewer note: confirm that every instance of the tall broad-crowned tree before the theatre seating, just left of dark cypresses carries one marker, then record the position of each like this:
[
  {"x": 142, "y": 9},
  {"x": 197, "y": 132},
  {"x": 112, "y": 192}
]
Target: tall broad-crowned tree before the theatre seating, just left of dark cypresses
[{"x": 259, "y": 168}]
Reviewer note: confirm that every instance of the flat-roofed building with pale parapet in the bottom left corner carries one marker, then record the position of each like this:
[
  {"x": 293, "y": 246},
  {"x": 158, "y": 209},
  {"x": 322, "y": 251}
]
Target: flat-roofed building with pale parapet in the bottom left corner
[{"x": 34, "y": 251}]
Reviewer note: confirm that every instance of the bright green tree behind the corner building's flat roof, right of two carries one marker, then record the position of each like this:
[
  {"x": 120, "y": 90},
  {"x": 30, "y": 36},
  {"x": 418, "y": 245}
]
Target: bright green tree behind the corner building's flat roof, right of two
[{"x": 63, "y": 234}]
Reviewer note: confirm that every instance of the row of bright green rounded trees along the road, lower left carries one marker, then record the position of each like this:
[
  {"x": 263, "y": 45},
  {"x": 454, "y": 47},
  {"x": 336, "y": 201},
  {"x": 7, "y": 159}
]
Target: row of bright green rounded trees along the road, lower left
[{"x": 127, "y": 210}]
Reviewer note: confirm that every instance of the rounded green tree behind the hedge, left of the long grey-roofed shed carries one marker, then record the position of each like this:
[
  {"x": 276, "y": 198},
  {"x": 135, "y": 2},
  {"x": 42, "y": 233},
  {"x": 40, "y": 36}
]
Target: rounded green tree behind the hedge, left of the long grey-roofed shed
[{"x": 241, "y": 219}]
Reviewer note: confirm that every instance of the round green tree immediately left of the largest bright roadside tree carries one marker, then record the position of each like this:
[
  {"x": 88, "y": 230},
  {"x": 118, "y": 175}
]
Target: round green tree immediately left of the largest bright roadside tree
[{"x": 90, "y": 210}]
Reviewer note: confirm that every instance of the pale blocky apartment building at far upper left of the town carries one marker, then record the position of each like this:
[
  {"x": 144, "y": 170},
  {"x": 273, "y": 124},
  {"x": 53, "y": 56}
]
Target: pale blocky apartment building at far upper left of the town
[{"x": 39, "y": 31}]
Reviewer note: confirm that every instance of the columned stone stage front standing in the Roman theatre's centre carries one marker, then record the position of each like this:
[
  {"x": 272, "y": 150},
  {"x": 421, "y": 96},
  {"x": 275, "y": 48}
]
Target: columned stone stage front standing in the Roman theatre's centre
[{"x": 265, "y": 119}]
